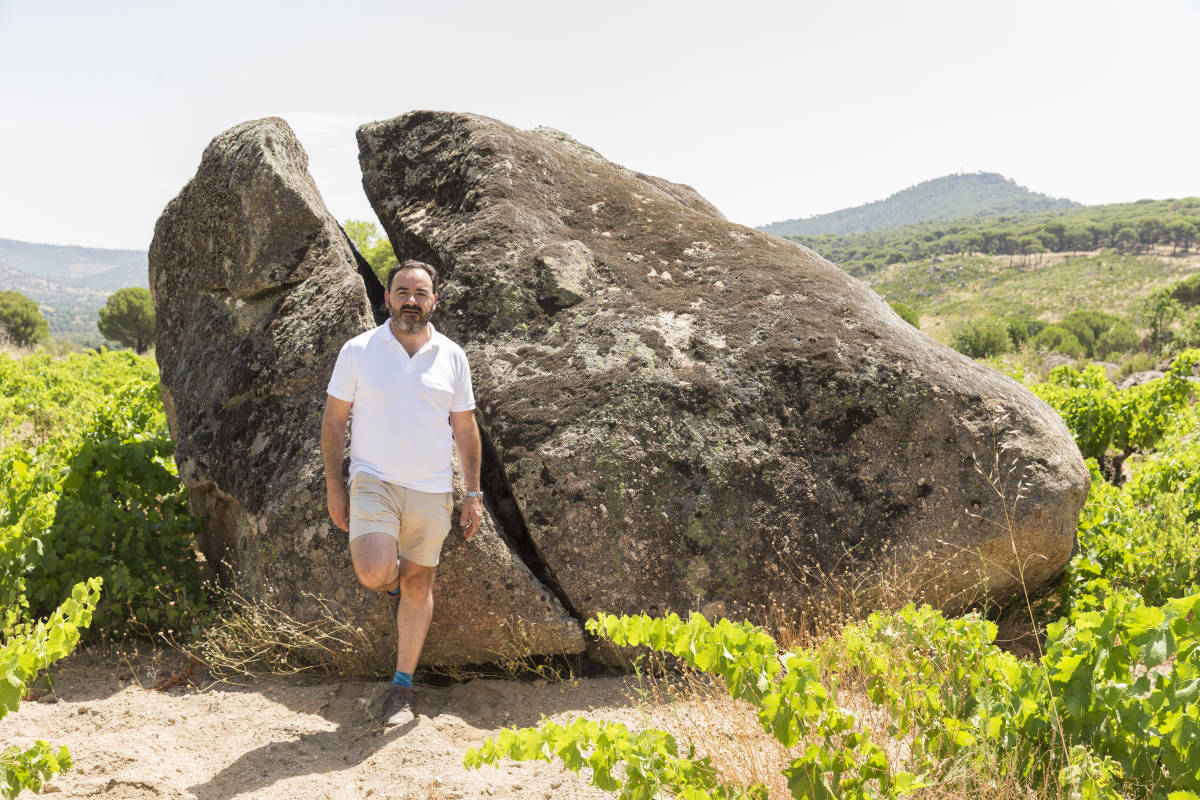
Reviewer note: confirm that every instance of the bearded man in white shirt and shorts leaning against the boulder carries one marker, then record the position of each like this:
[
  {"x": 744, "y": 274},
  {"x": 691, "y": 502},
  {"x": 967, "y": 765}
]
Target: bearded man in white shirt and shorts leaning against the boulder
[{"x": 410, "y": 388}]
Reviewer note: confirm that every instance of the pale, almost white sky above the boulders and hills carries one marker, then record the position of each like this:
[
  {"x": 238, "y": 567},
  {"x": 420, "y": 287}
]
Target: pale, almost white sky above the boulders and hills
[{"x": 770, "y": 110}]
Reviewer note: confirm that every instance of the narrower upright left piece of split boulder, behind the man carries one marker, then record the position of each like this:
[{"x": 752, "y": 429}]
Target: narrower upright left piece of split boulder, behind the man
[{"x": 256, "y": 288}]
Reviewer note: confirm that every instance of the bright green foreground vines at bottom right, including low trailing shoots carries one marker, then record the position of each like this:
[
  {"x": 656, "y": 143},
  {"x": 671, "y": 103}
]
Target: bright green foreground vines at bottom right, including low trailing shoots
[{"x": 1113, "y": 702}]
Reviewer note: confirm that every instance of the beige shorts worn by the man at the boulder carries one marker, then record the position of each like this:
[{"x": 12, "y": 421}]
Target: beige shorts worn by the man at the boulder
[{"x": 418, "y": 521}]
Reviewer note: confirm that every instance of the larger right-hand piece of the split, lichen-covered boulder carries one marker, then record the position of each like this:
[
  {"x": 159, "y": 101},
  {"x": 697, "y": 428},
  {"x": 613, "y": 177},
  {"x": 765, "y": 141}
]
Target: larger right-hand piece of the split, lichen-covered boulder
[{"x": 688, "y": 413}]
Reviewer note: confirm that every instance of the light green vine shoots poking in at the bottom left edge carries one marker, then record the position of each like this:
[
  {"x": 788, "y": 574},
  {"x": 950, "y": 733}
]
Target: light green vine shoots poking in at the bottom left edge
[{"x": 28, "y": 649}]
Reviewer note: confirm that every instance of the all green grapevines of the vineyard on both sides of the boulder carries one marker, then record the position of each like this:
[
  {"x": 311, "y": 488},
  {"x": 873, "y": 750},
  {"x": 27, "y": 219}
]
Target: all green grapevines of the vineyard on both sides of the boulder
[{"x": 97, "y": 544}]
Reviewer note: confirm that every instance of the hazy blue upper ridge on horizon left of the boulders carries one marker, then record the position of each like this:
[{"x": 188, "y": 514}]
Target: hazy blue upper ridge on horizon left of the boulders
[{"x": 85, "y": 268}]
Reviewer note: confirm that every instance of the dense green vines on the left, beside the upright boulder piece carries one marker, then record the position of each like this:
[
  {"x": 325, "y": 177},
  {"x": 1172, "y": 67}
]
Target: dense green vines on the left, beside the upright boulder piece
[{"x": 88, "y": 488}]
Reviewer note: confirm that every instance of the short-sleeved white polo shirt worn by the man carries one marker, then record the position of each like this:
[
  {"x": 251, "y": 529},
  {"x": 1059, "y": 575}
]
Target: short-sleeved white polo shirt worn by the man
[{"x": 400, "y": 430}]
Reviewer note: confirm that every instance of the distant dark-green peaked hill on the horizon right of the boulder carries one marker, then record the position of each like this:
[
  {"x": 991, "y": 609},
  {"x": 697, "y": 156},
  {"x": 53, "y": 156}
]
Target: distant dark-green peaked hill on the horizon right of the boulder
[{"x": 952, "y": 197}]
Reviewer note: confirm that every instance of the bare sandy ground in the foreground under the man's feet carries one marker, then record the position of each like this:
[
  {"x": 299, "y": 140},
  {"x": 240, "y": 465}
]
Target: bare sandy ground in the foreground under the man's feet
[{"x": 295, "y": 738}]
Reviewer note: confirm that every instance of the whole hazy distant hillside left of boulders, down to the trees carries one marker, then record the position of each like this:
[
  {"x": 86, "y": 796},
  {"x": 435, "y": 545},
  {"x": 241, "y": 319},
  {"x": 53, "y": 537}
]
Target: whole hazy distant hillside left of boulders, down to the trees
[{"x": 70, "y": 284}]
